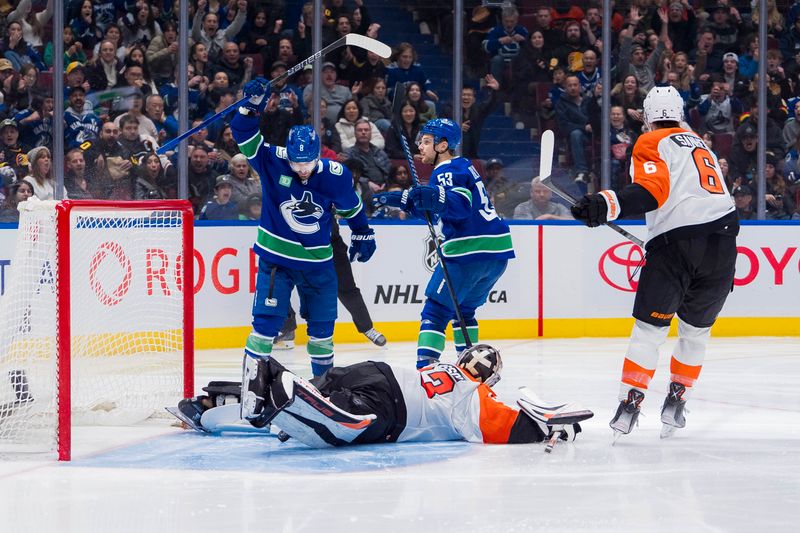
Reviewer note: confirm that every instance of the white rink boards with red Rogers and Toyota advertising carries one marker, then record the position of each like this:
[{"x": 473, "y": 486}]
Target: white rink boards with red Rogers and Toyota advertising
[{"x": 586, "y": 274}]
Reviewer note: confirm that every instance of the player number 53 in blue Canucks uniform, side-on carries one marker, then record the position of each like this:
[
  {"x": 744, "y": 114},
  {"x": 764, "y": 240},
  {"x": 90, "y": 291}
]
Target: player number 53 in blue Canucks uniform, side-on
[{"x": 477, "y": 242}]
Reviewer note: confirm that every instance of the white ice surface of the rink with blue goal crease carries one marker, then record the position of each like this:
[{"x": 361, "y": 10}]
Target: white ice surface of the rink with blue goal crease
[{"x": 735, "y": 467}]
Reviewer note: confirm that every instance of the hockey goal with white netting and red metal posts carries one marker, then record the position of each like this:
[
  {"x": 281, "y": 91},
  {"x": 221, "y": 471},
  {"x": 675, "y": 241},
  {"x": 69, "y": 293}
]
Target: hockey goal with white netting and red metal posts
[{"x": 96, "y": 324}]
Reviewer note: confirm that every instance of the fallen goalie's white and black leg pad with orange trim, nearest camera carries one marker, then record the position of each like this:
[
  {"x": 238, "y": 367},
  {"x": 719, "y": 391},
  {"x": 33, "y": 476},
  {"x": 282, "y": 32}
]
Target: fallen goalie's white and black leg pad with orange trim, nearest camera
[{"x": 313, "y": 419}]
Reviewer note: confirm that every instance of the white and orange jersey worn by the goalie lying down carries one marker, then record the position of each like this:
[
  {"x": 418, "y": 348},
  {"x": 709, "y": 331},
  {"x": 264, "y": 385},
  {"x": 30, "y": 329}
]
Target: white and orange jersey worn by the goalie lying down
[{"x": 445, "y": 403}]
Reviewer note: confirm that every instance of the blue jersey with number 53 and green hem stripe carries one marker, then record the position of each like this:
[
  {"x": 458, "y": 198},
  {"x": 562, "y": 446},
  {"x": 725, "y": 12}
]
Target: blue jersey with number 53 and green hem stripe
[{"x": 472, "y": 229}]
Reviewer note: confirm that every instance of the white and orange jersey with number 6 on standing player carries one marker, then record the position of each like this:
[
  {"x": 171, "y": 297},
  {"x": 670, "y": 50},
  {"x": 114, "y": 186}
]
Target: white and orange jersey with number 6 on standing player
[{"x": 684, "y": 177}]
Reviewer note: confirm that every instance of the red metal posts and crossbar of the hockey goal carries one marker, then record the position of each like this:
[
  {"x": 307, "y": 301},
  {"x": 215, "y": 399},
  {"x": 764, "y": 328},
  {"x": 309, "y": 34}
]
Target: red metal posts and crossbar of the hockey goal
[{"x": 64, "y": 209}]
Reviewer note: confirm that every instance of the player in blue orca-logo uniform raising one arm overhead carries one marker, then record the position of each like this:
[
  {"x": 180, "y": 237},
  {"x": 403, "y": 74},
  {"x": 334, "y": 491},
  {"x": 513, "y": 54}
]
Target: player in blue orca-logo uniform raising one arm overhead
[{"x": 294, "y": 238}]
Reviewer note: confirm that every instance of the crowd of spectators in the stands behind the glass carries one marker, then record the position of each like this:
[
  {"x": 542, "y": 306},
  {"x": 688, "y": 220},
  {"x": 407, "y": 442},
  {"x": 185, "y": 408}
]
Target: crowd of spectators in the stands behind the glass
[{"x": 121, "y": 93}]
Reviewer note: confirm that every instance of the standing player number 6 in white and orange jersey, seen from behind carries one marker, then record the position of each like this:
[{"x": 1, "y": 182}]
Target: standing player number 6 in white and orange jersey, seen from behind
[{"x": 691, "y": 254}]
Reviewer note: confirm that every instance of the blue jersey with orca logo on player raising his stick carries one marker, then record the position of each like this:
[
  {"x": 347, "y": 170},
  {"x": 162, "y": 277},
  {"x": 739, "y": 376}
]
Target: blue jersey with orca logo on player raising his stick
[{"x": 295, "y": 226}]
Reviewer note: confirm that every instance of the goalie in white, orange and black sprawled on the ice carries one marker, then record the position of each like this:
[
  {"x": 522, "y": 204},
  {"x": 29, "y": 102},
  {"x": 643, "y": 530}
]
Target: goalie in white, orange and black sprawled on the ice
[{"x": 374, "y": 402}]
